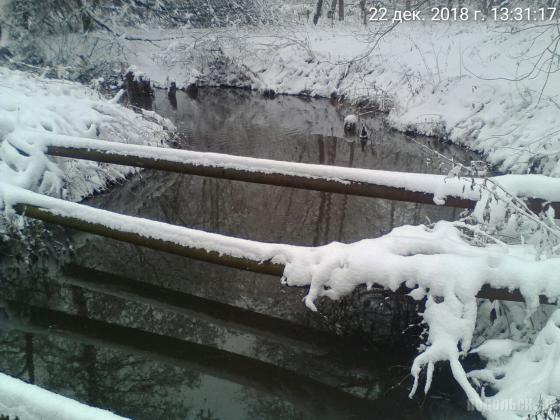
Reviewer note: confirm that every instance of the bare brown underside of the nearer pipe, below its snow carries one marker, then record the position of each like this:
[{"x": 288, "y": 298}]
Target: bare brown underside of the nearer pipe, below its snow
[{"x": 203, "y": 254}]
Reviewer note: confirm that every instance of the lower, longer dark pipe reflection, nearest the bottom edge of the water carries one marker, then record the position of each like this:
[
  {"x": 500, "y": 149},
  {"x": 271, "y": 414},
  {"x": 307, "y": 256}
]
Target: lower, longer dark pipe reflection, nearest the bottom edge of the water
[{"x": 321, "y": 400}]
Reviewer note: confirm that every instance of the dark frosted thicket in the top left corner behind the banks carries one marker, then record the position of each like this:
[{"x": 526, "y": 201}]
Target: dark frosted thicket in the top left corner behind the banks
[{"x": 35, "y": 31}]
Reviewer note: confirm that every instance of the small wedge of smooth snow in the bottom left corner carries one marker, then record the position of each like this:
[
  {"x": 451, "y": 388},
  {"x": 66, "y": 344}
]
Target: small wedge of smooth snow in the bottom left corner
[{"x": 30, "y": 402}]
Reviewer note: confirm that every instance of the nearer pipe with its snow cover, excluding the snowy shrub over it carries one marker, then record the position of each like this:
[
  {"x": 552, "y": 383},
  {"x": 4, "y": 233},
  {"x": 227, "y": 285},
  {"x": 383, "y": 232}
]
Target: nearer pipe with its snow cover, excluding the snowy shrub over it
[{"x": 267, "y": 258}]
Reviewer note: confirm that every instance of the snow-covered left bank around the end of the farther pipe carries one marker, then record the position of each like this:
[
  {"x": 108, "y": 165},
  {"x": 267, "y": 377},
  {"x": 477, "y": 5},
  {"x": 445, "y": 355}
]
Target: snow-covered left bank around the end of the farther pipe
[{"x": 45, "y": 106}]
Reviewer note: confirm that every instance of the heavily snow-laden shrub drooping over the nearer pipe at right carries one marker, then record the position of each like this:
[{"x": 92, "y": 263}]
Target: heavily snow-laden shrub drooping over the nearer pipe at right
[{"x": 444, "y": 267}]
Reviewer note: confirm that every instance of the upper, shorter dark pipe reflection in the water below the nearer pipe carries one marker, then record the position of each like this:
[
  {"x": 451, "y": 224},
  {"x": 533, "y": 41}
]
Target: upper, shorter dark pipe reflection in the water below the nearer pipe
[{"x": 218, "y": 313}]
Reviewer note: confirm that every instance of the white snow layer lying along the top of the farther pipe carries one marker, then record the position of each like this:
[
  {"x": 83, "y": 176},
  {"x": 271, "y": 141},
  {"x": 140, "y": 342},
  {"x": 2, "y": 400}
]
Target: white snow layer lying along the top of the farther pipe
[{"x": 440, "y": 186}]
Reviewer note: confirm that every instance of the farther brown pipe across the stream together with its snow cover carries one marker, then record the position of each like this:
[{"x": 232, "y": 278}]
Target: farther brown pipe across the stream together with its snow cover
[{"x": 460, "y": 192}]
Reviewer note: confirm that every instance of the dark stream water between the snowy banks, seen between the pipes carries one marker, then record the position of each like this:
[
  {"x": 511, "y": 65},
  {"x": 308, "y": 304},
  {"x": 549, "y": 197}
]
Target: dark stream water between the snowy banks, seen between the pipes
[{"x": 148, "y": 362}]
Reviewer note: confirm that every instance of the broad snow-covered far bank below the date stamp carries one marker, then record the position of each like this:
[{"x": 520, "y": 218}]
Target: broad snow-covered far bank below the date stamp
[{"x": 477, "y": 84}]
